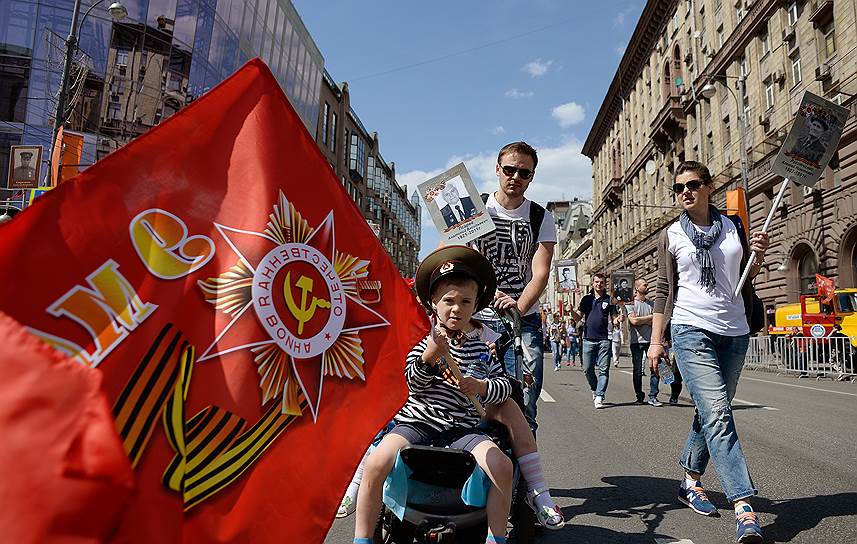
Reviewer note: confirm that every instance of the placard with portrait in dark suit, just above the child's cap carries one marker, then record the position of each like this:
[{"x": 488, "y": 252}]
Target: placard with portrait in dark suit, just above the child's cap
[{"x": 455, "y": 206}]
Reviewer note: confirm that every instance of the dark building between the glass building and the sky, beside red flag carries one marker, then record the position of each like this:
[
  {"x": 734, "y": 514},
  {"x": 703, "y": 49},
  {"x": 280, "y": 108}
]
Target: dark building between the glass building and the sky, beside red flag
[{"x": 355, "y": 155}]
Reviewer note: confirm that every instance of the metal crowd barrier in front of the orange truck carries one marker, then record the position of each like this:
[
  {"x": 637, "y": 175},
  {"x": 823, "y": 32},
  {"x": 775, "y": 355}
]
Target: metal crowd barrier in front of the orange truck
[{"x": 832, "y": 357}]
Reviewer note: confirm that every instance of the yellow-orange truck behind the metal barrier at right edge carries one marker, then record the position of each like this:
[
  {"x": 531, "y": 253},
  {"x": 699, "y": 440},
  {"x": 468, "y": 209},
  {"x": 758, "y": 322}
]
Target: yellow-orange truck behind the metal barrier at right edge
[{"x": 810, "y": 317}]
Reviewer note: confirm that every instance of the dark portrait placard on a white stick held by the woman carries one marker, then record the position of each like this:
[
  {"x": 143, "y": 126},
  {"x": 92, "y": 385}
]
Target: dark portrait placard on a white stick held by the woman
[{"x": 812, "y": 140}]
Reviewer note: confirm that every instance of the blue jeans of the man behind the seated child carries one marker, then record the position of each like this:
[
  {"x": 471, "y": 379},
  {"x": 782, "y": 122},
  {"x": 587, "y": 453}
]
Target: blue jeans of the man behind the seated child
[{"x": 533, "y": 339}]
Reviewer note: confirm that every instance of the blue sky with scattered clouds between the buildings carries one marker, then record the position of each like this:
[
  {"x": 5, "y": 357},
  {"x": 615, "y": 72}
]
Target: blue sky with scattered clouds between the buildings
[{"x": 444, "y": 82}]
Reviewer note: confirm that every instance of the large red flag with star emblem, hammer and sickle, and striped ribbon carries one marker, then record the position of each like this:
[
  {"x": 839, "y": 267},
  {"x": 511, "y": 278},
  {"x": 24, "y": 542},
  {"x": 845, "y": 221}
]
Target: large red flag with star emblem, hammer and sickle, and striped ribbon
[{"x": 250, "y": 327}]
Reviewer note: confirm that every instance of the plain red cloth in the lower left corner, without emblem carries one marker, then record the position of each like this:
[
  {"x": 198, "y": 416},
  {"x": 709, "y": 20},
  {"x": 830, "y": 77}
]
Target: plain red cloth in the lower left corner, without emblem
[{"x": 63, "y": 471}]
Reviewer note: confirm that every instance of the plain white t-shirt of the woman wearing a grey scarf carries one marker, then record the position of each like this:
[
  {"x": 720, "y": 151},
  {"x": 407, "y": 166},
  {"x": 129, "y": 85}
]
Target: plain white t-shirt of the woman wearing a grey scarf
[{"x": 715, "y": 311}]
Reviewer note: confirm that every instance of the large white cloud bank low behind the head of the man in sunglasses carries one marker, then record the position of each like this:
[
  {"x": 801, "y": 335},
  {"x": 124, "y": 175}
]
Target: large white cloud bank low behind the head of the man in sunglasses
[{"x": 562, "y": 173}]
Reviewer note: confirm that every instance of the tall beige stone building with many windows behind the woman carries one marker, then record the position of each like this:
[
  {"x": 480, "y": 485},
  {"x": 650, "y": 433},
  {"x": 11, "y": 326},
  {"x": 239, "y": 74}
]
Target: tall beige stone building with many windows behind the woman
[{"x": 655, "y": 115}]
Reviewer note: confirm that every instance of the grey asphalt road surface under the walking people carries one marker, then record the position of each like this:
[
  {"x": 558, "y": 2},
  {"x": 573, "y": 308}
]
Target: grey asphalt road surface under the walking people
[{"x": 614, "y": 471}]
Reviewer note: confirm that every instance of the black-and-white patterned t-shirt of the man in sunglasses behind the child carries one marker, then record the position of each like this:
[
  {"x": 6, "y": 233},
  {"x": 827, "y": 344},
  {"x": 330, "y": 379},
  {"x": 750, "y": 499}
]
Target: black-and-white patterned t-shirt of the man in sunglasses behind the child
[{"x": 511, "y": 247}]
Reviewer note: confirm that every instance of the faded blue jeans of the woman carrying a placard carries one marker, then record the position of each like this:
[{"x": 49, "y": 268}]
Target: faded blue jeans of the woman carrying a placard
[{"x": 710, "y": 365}]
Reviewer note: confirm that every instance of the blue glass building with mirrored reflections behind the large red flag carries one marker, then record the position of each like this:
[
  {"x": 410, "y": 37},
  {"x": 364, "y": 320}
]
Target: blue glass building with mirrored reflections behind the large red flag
[{"x": 131, "y": 74}]
